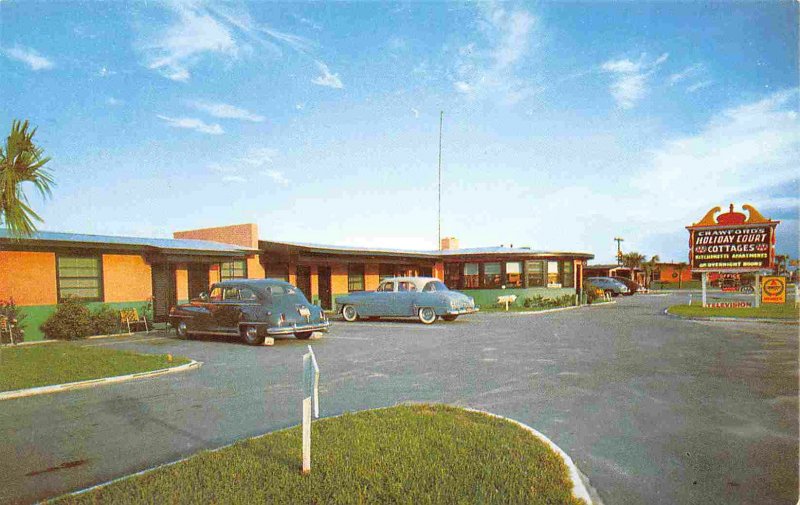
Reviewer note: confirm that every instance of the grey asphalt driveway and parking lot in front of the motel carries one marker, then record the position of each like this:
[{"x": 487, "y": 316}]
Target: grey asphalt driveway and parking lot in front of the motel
[{"x": 652, "y": 409}]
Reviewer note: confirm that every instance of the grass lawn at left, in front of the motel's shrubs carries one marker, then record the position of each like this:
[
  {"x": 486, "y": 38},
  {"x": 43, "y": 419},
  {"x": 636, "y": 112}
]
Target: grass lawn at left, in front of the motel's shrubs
[{"x": 57, "y": 363}]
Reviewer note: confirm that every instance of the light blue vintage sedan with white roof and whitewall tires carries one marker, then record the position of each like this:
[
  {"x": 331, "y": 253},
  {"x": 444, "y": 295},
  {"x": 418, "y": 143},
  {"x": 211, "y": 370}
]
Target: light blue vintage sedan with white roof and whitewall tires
[{"x": 424, "y": 297}]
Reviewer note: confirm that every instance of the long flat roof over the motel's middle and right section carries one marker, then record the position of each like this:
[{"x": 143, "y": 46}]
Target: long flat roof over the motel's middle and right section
[{"x": 478, "y": 251}]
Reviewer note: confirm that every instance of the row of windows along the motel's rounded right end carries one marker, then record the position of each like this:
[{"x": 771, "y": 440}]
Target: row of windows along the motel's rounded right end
[{"x": 511, "y": 274}]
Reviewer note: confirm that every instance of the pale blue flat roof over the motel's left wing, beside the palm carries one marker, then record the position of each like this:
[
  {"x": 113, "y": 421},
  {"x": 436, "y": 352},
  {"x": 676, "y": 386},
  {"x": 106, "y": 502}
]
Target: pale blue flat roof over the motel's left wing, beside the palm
[{"x": 163, "y": 244}]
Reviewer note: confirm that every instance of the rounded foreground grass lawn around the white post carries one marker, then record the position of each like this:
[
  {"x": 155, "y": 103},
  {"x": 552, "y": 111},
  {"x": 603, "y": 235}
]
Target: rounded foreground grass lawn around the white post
[{"x": 416, "y": 454}]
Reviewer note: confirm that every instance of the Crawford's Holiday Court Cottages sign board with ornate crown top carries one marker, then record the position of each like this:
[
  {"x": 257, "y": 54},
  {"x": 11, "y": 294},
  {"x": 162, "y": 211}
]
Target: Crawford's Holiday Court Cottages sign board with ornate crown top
[{"x": 732, "y": 242}]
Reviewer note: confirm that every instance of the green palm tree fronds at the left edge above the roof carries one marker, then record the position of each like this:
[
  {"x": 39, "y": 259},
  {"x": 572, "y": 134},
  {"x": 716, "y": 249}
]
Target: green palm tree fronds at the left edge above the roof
[{"x": 21, "y": 161}]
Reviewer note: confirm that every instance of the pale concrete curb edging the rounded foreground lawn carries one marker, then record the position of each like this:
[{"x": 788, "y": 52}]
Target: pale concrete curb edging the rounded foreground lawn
[{"x": 579, "y": 489}]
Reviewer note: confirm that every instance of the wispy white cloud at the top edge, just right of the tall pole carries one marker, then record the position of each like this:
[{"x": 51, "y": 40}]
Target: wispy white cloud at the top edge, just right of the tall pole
[{"x": 492, "y": 72}]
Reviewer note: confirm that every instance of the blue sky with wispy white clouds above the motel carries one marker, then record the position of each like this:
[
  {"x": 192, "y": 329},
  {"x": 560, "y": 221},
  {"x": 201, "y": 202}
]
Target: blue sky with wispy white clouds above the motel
[{"x": 565, "y": 124}]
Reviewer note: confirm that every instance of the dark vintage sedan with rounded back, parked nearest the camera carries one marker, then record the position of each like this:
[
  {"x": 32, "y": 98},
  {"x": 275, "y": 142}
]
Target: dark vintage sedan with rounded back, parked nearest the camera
[{"x": 250, "y": 309}]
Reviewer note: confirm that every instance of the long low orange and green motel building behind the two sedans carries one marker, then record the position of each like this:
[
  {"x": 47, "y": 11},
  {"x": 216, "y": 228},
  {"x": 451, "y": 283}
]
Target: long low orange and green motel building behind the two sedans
[{"x": 130, "y": 272}]
